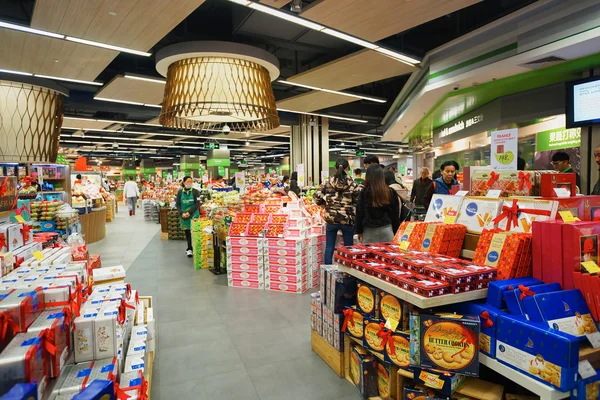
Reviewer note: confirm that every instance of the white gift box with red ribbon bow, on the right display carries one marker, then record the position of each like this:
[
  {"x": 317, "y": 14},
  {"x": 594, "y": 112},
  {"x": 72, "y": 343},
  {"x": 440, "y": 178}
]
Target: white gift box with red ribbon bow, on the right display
[{"x": 517, "y": 215}]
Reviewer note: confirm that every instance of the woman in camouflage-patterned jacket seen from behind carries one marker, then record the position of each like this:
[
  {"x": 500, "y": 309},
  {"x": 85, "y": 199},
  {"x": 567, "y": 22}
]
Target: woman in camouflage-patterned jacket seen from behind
[{"x": 338, "y": 195}]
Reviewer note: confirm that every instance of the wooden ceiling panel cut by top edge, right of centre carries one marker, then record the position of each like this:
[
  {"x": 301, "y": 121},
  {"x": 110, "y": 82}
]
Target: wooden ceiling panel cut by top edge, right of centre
[{"x": 377, "y": 19}]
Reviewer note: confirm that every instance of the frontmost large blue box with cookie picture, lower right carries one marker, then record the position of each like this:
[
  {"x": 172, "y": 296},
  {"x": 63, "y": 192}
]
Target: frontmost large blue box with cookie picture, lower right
[{"x": 548, "y": 356}]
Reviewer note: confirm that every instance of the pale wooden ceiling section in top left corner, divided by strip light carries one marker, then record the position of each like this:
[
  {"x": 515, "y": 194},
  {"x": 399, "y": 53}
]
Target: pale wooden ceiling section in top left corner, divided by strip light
[{"x": 138, "y": 24}]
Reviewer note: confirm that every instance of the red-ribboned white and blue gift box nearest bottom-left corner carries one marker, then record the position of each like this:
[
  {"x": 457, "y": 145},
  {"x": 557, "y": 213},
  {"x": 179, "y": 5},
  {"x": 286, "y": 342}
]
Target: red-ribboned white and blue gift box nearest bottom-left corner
[{"x": 23, "y": 361}]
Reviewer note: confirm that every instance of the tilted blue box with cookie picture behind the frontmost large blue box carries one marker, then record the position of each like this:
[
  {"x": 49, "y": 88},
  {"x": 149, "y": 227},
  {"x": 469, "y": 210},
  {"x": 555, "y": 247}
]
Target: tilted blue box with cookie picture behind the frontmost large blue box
[{"x": 565, "y": 311}]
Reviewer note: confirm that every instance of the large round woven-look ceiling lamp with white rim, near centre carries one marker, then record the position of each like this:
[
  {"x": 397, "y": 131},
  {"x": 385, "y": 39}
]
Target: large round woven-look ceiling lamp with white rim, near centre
[{"x": 218, "y": 85}]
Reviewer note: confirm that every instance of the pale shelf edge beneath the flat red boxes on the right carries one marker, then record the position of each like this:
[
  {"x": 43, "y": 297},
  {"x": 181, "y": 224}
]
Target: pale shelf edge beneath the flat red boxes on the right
[{"x": 415, "y": 299}]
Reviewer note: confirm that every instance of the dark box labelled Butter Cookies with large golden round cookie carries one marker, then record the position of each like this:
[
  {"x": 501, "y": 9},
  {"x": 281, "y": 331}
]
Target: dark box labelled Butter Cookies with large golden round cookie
[{"x": 447, "y": 342}]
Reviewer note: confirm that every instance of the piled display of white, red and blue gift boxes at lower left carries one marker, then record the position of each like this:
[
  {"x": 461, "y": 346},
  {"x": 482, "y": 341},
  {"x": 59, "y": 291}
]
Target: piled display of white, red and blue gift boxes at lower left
[{"x": 86, "y": 324}]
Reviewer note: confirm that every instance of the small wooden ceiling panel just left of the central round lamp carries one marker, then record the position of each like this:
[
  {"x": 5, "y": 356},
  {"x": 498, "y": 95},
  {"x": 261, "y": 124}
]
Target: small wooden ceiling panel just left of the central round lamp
[{"x": 121, "y": 88}]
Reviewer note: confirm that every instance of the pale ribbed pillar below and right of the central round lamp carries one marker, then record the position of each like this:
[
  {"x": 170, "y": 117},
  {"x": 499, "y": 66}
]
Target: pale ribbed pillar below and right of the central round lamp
[{"x": 309, "y": 145}]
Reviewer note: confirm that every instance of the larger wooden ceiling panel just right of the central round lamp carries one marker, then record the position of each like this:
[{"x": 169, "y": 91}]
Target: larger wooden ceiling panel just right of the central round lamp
[{"x": 356, "y": 69}]
